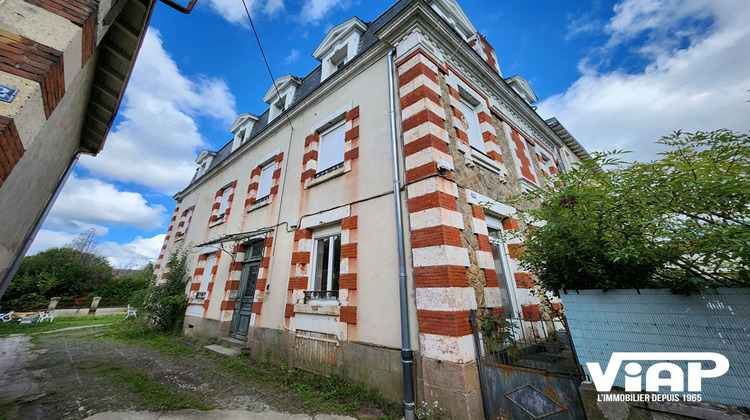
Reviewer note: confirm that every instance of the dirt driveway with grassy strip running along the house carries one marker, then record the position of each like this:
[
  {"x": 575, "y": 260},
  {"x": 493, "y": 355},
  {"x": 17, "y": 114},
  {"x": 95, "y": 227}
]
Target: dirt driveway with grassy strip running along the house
[{"x": 76, "y": 374}]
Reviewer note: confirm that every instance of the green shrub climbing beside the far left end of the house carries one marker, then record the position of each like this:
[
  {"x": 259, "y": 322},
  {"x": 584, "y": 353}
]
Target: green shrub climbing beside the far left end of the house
[{"x": 165, "y": 300}]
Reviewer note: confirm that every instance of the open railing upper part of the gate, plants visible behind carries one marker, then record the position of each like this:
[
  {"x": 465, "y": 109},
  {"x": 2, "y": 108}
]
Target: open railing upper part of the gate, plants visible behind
[{"x": 540, "y": 343}]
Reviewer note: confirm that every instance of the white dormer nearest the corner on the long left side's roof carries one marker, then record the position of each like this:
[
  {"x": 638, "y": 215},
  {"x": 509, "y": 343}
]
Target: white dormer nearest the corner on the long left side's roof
[{"x": 339, "y": 46}]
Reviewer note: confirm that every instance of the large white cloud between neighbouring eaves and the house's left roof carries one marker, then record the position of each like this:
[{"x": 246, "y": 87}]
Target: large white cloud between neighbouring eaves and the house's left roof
[{"x": 158, "y": 139}]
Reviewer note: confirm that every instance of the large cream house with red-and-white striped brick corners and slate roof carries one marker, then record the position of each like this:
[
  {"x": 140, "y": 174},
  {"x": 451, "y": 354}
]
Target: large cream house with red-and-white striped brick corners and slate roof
[{"x": 291, "y": 228}]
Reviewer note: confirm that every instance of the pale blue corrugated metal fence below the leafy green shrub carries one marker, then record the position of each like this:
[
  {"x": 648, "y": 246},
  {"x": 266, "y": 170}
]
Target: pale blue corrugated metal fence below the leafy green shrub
[{"x": 657, "y": 321}]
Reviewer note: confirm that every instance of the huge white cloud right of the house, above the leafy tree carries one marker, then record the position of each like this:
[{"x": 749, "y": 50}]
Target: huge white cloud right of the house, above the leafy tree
[{"x": 699, "y": 87}]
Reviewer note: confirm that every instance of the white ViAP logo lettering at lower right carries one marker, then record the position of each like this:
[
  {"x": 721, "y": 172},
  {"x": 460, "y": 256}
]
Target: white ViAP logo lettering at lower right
[{"x": 604, "y": 380}]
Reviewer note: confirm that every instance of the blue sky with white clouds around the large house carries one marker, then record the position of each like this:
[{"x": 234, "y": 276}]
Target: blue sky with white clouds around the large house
[{"x": 616, "y": 74}]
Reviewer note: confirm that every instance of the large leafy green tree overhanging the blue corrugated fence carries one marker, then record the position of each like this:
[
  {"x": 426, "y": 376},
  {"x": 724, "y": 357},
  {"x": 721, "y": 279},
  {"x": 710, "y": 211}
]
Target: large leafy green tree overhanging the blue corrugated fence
[{"x": 681, "y": 222}]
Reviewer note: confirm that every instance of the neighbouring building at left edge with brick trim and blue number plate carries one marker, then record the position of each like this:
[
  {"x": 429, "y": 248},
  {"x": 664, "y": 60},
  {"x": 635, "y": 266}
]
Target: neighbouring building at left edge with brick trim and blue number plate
[{"x": 64, "y": 66}]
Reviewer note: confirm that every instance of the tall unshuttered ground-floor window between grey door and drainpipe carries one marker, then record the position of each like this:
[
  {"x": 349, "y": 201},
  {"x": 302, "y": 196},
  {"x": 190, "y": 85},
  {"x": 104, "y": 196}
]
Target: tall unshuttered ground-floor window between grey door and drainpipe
[{"x": 326, "y": 263}]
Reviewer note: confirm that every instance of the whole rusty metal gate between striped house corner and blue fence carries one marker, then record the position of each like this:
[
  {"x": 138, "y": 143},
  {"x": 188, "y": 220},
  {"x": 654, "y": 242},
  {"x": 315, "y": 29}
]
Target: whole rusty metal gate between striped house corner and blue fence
[{"x": 527, "y": 367}]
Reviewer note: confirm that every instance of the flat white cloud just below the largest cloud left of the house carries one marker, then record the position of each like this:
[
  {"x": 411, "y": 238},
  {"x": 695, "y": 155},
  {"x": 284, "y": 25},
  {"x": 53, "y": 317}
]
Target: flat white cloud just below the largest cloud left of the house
[{"x": 90, "y": 201}]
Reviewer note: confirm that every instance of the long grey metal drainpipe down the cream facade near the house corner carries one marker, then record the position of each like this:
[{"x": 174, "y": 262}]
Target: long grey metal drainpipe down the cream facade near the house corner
[{"x": 407, "y": 355}]
